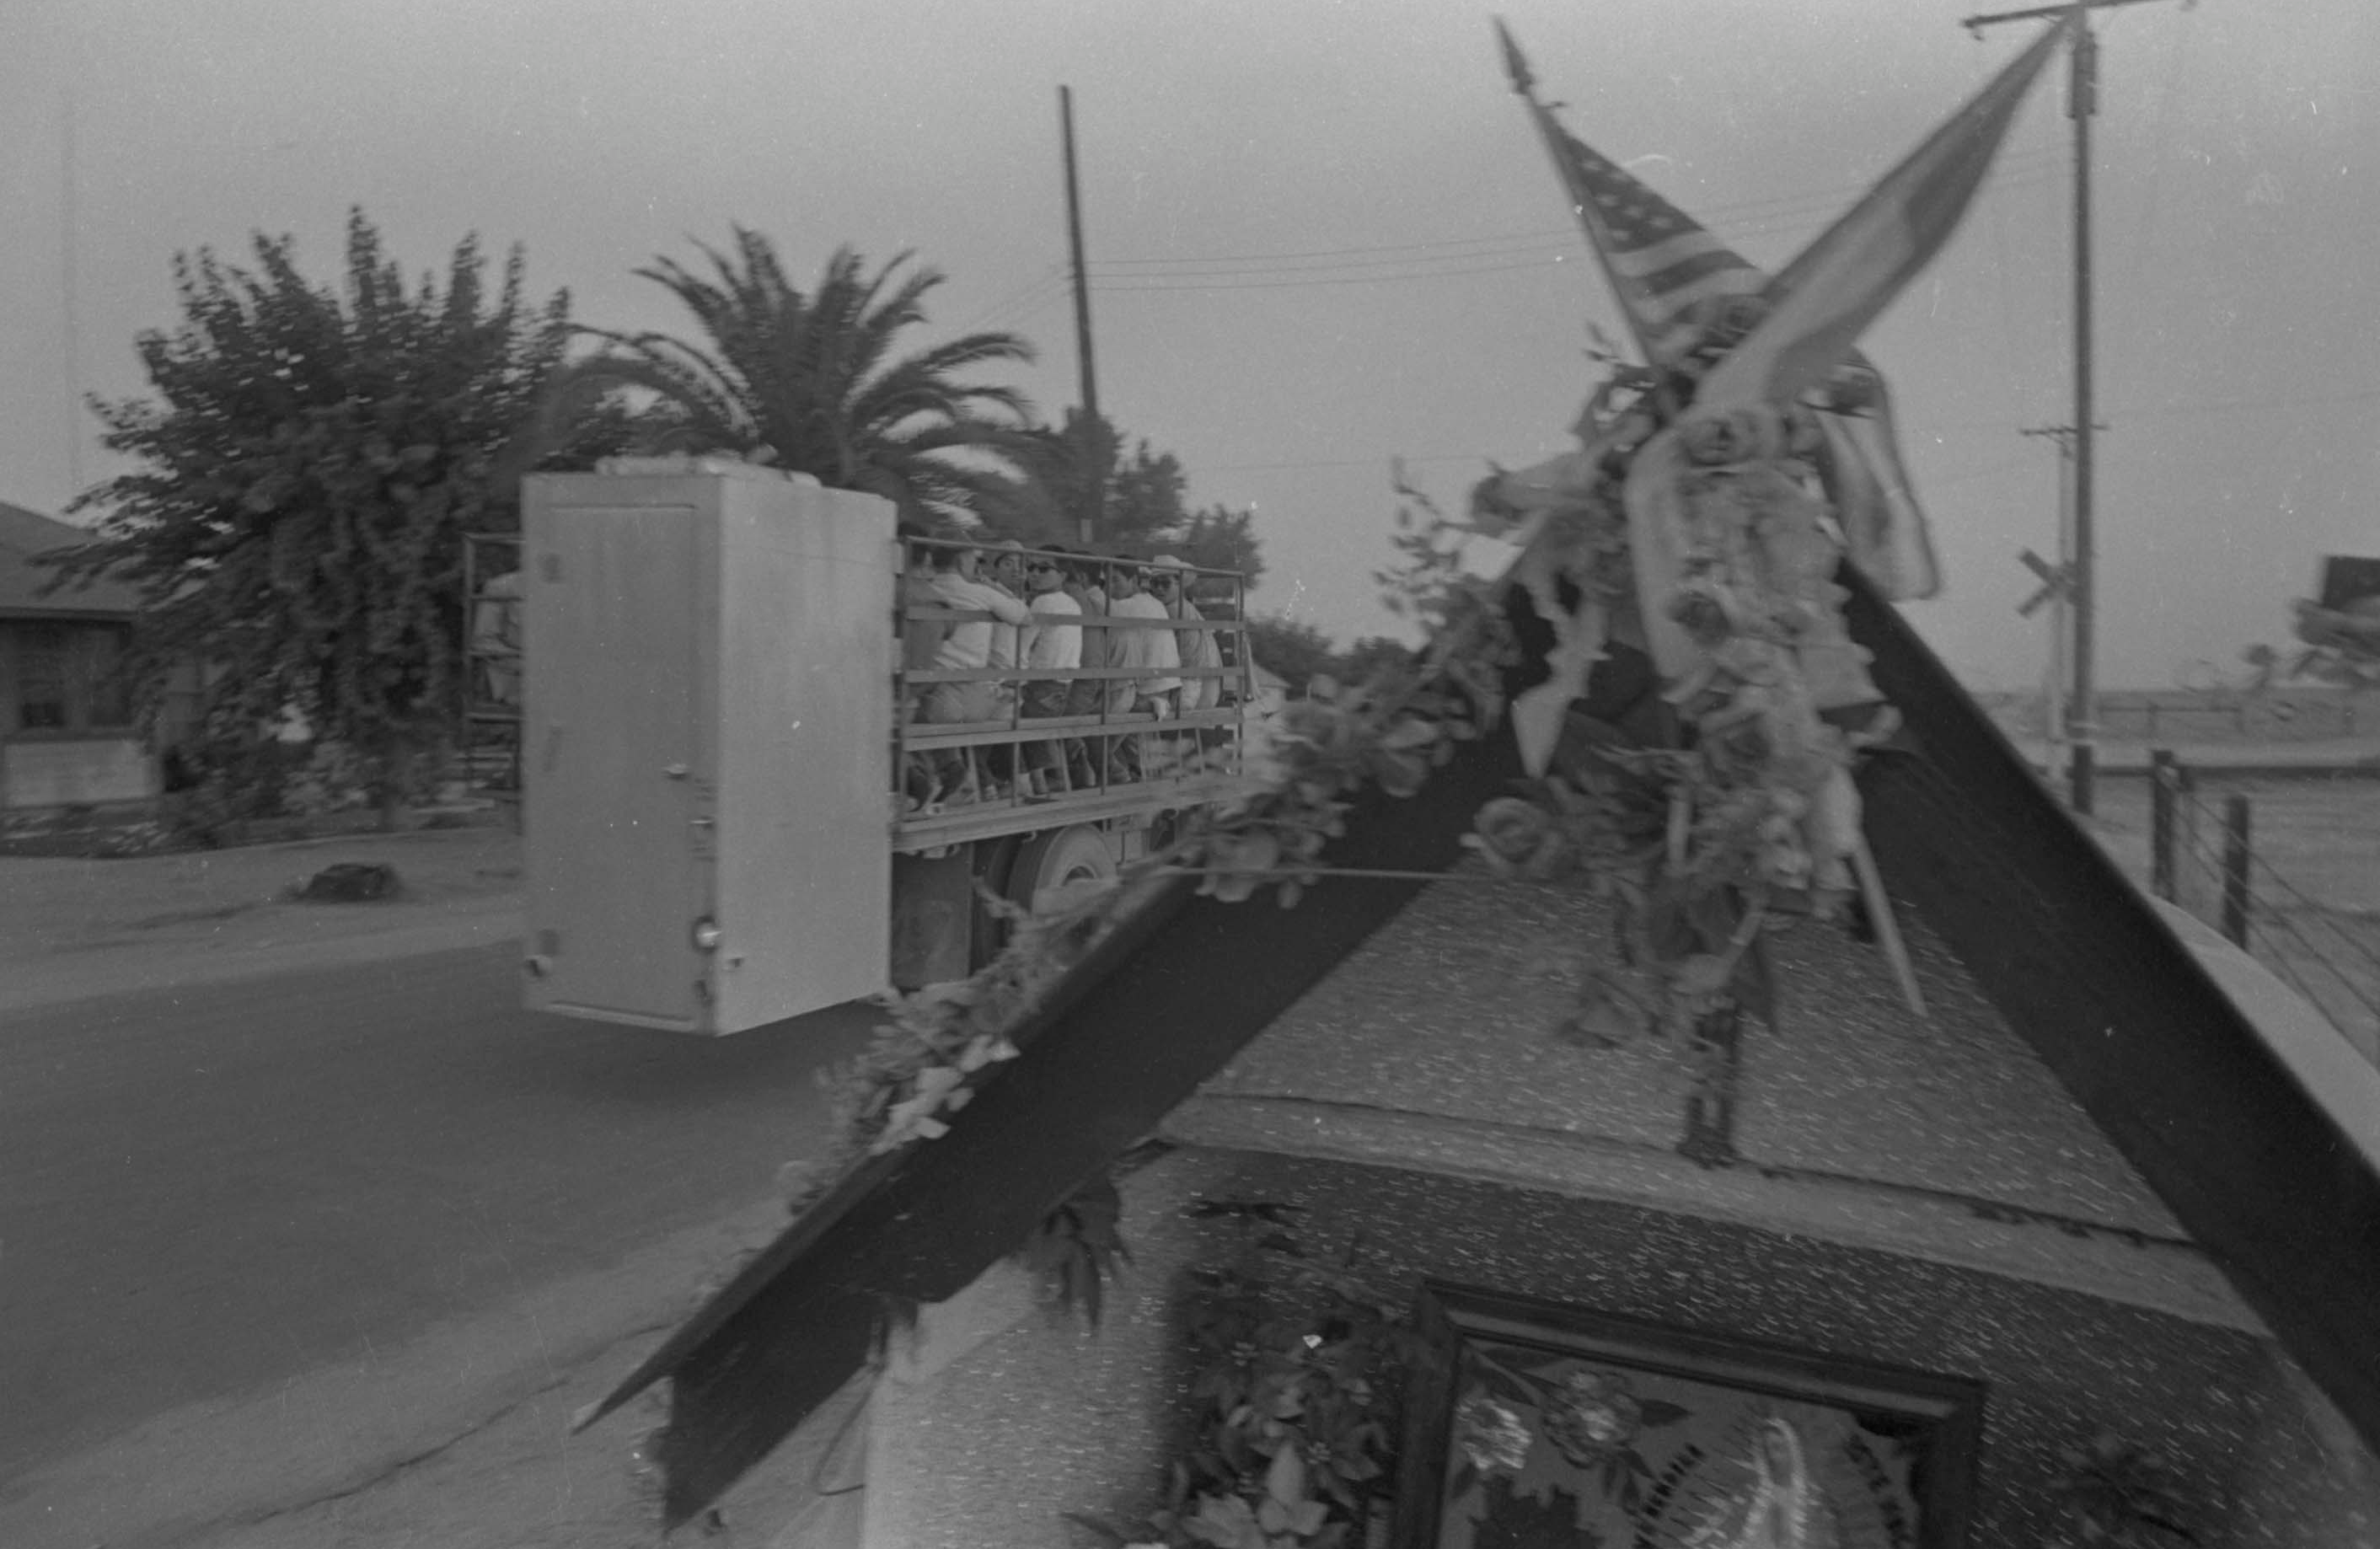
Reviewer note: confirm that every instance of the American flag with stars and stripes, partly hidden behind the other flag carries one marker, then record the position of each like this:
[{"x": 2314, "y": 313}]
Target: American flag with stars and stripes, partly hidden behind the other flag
[{"x": 1662, "y": 268}]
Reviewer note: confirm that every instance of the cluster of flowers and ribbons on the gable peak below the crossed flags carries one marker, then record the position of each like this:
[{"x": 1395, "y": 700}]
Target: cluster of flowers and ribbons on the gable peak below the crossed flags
[{"x": 1734, "y": 815}]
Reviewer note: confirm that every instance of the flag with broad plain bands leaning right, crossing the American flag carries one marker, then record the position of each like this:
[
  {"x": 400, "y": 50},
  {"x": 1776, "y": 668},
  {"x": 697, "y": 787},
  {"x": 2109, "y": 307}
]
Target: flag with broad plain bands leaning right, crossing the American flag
[{"x": 1853, "y": 272}]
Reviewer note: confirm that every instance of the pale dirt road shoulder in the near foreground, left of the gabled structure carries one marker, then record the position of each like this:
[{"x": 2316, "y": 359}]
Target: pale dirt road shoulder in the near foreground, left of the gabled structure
[{"x": 389, "y": 1438}]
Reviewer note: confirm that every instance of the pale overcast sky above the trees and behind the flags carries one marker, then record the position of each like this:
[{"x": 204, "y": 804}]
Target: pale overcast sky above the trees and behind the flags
[{"x": 1324, "y": 234}]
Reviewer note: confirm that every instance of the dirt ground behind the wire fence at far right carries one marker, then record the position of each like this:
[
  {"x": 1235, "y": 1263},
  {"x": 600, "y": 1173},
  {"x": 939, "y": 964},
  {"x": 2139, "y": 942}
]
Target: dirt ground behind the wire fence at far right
[{"x": 2315, "y": 879}]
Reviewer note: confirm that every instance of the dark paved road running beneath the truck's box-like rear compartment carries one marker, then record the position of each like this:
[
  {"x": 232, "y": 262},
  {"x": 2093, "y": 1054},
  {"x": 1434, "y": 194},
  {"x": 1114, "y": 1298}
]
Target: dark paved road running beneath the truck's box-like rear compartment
[{"x": 218, "y": 1189}]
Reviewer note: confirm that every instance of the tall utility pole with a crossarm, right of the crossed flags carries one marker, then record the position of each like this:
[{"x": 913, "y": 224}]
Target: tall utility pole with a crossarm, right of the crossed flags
[{"x": 2081, "y": 104}]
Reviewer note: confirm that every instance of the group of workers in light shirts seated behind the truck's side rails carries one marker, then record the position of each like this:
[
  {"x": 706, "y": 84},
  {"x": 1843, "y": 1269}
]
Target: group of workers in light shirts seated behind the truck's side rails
[{"x": 1006, "y": 615}]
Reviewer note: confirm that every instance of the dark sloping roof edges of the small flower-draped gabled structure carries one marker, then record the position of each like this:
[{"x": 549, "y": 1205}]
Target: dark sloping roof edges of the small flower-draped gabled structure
[{"x": 2260, "y": 1177}]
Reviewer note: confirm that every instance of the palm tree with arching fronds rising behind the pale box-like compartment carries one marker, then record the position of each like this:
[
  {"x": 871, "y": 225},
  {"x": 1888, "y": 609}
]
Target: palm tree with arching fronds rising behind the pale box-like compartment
[{"x": 813, "y": 384}]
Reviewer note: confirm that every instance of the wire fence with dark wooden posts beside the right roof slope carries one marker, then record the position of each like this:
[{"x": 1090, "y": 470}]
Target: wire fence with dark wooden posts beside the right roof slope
[{"x": 2207, "y": 860}]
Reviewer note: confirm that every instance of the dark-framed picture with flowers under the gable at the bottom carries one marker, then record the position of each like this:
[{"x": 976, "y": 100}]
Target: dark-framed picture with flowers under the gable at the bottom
[{"x": 1543, "y": 1426}]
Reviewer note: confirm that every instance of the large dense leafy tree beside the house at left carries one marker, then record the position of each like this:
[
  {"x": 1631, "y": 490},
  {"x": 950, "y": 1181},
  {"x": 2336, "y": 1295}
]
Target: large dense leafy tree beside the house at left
[{"x": 306, "y": 472}]
